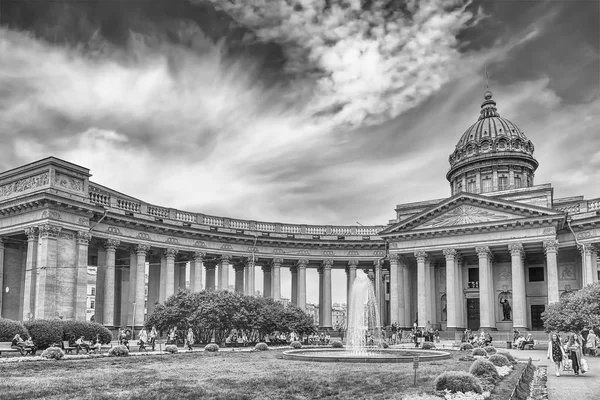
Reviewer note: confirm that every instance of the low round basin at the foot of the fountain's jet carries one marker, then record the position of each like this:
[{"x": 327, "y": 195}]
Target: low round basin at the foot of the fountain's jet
[{"x": 372, "y": 355}]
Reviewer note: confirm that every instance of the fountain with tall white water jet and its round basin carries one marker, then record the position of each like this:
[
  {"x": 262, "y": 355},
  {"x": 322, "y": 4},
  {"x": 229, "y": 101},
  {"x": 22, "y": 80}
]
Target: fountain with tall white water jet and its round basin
[{"x": 364, "y": 340}]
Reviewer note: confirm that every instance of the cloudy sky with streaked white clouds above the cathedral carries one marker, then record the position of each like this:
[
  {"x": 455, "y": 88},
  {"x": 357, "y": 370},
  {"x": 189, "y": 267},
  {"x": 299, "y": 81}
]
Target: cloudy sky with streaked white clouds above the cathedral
[{"x": 303, "y": 111}]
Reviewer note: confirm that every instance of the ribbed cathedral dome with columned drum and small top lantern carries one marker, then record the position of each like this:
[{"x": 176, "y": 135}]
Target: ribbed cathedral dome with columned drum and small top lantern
[{"x": 496, "y": 144}]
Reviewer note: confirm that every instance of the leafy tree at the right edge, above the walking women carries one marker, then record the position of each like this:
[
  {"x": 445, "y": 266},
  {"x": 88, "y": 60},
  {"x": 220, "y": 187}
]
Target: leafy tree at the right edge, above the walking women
[{"x": 575, "y": 311}]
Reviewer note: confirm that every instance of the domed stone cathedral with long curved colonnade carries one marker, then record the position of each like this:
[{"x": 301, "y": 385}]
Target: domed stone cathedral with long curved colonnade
[{"x": 493, "y": 255}]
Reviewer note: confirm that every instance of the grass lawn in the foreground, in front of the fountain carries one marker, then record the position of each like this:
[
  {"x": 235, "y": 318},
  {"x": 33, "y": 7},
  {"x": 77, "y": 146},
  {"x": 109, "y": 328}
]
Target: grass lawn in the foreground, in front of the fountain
[{"x": 225, "y": 375}]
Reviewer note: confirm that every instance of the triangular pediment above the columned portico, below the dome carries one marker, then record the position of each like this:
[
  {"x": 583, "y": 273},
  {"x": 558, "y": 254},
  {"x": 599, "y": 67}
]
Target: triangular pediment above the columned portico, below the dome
[{"x": 470, "y": 209}]
